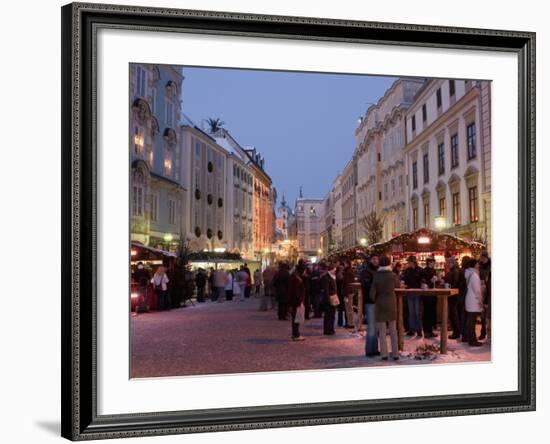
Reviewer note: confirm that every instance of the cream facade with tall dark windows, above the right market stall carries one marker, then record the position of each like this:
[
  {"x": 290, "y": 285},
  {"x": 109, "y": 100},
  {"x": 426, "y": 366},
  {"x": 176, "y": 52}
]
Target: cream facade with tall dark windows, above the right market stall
[{"x": 446, "y": 158}]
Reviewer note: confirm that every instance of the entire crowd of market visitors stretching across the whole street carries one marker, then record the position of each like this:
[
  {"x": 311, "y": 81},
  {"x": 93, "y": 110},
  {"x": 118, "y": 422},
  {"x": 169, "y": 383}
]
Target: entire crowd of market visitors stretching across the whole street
[{"x": 328, "y": 290}]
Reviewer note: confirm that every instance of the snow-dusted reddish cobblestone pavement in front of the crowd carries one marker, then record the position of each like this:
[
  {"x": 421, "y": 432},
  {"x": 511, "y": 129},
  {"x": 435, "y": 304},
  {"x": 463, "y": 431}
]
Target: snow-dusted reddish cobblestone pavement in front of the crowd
[{"x": 235, "y": 337}]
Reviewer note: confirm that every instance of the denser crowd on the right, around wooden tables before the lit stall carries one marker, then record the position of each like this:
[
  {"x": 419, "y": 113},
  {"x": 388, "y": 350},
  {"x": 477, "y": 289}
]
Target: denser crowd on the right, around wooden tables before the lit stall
[{"x": 325, "y": 290}]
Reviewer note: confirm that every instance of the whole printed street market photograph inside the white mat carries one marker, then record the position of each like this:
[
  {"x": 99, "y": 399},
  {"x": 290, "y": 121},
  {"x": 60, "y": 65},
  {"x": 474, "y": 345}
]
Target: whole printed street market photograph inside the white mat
[{"x": 297, "y": 220}]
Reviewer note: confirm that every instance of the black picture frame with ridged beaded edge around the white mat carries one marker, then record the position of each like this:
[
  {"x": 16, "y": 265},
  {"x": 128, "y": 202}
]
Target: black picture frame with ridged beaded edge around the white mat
[{"x": 80, "y": 22}]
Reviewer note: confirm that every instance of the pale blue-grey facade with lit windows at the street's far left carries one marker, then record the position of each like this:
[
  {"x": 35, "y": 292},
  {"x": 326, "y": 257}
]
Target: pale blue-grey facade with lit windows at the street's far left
[{"x": 157, "y": 191}]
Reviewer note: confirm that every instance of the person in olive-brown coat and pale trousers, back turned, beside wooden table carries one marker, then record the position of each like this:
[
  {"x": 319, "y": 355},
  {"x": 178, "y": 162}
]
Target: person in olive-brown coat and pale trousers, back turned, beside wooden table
[{"x": 382, "y": 292}]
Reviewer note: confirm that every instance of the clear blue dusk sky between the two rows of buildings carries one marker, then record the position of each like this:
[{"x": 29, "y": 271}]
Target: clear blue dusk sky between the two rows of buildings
[{"x": 302, "y": 123}]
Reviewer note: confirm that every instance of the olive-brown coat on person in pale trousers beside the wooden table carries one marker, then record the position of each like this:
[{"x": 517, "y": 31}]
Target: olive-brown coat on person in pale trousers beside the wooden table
[{"x": 382, "y": 291}]
